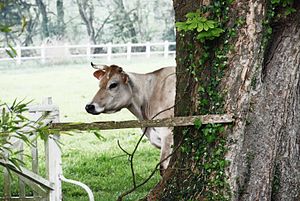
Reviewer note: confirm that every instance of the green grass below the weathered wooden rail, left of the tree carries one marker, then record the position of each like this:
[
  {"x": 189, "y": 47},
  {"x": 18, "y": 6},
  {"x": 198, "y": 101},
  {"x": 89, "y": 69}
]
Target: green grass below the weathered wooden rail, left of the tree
[{"x": 100, "y": 164}]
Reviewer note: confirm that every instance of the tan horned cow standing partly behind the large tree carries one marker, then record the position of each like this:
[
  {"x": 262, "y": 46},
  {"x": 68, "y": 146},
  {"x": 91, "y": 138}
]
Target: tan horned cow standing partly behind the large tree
[{"x": 146, "y": 96}]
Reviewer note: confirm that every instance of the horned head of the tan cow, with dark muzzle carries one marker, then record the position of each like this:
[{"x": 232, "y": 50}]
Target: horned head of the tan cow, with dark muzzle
[{"x": 114, "y": 91}]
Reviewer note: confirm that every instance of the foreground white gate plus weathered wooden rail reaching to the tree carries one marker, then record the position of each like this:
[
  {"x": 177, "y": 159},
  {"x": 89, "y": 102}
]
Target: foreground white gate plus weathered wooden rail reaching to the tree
[{"x": 50, "y": 188}]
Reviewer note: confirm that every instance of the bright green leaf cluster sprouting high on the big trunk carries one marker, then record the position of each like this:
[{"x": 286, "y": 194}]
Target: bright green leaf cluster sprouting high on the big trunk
[{"x": 206, "y": 29}]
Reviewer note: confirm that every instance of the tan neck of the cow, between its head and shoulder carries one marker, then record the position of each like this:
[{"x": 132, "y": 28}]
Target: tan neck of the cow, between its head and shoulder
[{"x": 142, "y": 89}]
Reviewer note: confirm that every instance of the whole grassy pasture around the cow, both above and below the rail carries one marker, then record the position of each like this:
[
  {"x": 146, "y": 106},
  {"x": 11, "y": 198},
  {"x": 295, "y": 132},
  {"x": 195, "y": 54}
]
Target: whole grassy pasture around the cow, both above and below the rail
[{"x": 98, "y": 163}]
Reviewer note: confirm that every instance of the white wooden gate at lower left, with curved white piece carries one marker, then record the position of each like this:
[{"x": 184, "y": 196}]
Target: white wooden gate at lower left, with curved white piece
[{"x": 44, "y": 189}]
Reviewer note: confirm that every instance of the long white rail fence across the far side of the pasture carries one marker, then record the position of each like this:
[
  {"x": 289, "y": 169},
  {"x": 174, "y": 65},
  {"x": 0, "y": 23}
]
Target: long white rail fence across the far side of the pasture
[{"x": 88, "y": 51}]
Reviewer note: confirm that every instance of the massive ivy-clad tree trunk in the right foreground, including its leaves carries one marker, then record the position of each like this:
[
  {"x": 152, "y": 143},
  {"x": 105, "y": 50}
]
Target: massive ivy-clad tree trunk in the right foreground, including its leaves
[{"x": 251, "y": 70}]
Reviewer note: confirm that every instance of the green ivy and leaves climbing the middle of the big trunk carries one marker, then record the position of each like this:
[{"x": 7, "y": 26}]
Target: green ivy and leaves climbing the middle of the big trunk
[{"x": 205, "y": 145}]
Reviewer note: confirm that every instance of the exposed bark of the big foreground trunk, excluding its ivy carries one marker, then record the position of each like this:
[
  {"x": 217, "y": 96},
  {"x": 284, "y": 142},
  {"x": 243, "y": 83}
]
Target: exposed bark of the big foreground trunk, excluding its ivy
[{"x": 262, "y": 88}]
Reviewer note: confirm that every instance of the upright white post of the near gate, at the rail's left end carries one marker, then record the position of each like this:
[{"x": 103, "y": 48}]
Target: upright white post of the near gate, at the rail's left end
[{"x": 53, "y": 158}]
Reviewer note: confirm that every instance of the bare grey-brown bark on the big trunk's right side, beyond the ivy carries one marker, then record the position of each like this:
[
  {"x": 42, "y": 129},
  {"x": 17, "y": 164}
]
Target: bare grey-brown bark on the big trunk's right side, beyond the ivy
[{"x": 263, "y": 92}]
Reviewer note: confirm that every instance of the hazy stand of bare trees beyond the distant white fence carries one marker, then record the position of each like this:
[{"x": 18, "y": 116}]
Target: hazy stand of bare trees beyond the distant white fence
[{"x": 78, "y": 22}]
